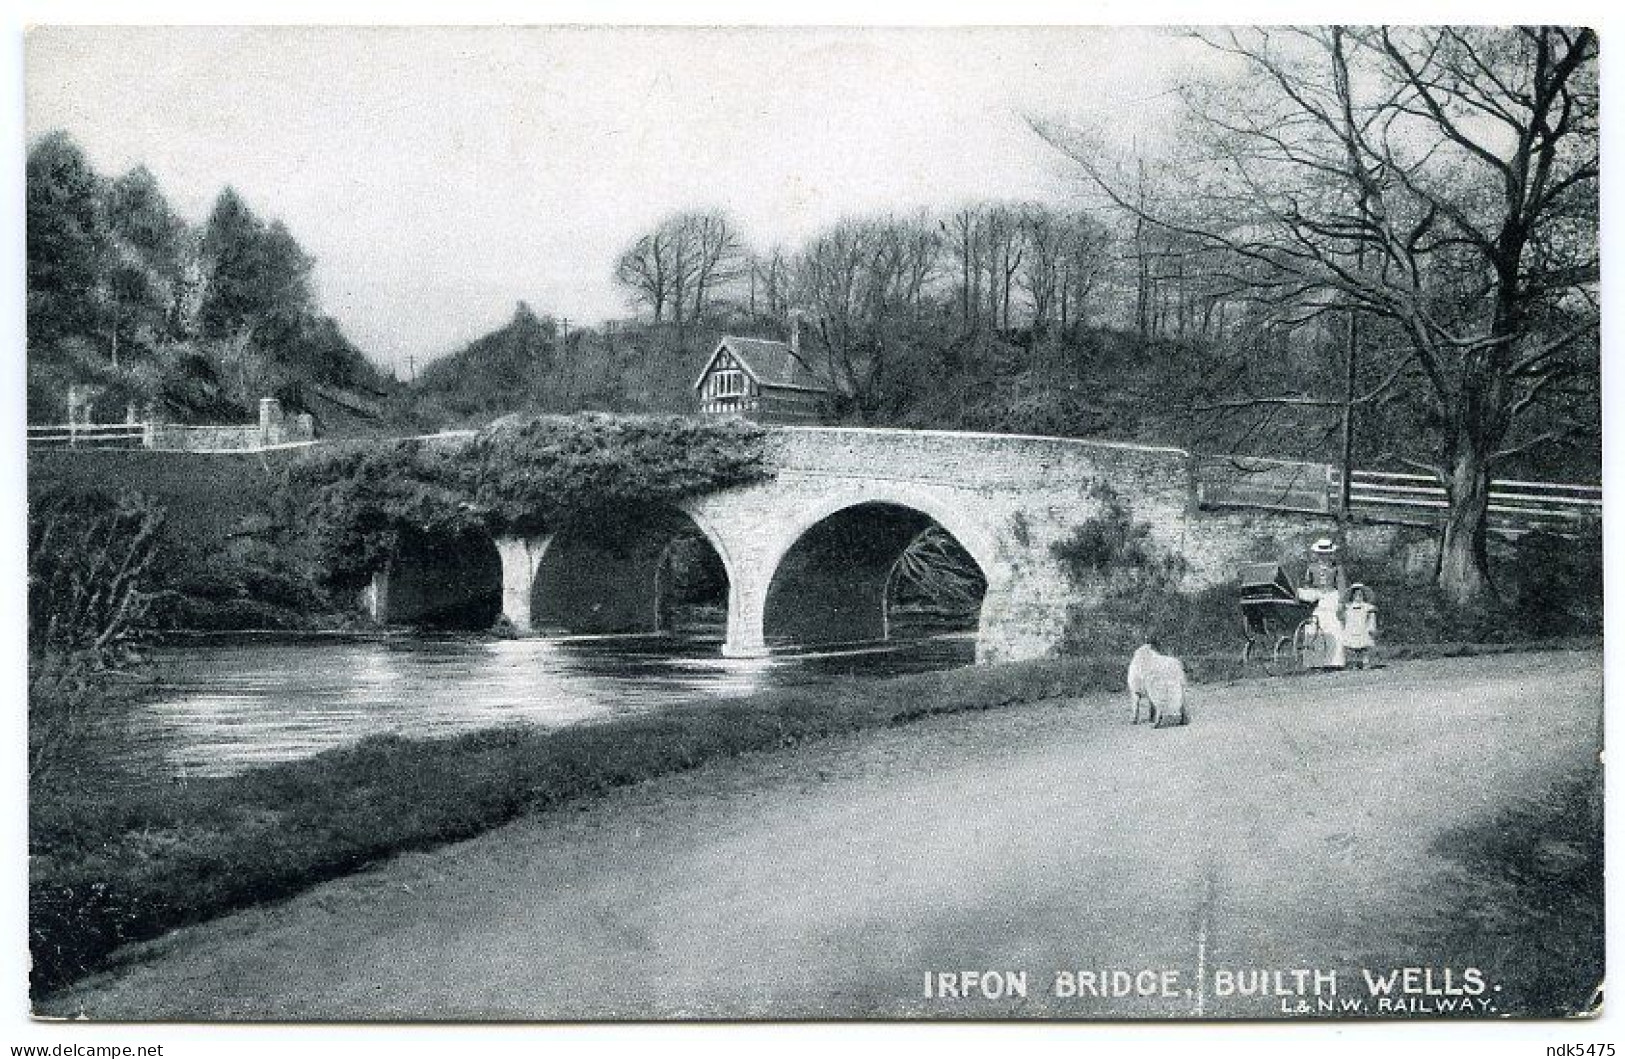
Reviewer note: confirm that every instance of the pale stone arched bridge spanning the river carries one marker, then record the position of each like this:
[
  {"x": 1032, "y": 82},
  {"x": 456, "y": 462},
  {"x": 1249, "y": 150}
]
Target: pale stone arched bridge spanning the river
[{"x": 810, "y": 553}]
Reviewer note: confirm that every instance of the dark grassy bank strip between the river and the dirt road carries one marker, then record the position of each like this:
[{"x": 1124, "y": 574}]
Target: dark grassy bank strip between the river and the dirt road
[{"x": 124, "y": 863}]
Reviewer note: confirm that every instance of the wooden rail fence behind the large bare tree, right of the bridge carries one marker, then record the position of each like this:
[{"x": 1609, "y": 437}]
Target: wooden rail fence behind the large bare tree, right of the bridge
[{"x": 1515, "y": 506}]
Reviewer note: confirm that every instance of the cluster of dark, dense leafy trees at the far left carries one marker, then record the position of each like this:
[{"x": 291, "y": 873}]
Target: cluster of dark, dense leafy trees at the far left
[{"x": 199, "y": 321}]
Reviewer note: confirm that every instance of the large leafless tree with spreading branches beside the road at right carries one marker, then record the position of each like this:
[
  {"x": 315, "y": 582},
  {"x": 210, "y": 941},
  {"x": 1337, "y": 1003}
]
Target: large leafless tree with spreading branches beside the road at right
[{"x": 1441, "y": 181}]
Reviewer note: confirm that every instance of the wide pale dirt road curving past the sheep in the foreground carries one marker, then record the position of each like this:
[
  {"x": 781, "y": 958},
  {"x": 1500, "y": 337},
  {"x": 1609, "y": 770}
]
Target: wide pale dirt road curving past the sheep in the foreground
[{"x": 1296, "y": 824}]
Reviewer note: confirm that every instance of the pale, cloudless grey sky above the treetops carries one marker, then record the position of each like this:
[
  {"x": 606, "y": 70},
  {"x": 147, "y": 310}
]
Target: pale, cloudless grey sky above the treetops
[{"x": 440, "y": 176}]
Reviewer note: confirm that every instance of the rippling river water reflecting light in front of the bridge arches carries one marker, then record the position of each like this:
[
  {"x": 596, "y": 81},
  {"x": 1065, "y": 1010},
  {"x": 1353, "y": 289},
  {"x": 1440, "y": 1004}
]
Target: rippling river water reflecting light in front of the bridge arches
[{"x": 222, "y": 707}]
